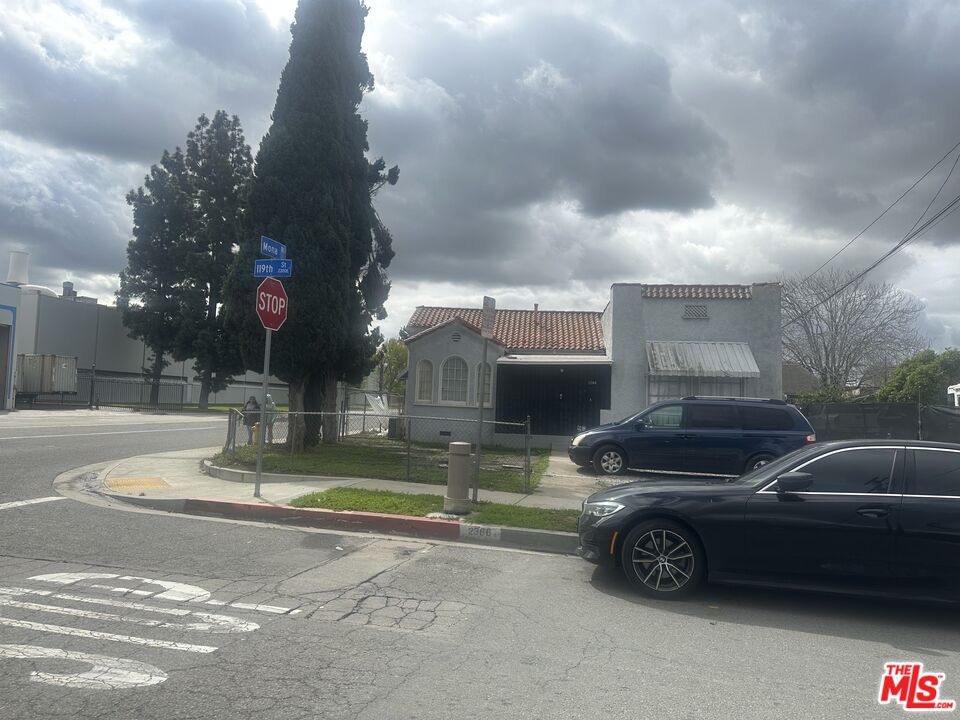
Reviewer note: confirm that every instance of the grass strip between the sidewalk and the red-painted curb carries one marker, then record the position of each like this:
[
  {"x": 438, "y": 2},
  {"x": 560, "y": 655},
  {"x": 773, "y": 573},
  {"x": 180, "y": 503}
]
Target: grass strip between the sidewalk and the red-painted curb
[{"x": 484, "y": 513}]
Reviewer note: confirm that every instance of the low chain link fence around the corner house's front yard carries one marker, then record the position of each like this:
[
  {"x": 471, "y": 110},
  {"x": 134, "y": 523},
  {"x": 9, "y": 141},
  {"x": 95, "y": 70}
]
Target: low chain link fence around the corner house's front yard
[{"x": 387, "y": 446}]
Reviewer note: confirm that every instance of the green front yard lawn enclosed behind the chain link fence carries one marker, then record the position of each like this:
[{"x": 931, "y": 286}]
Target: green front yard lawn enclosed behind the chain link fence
[{"x": 377, "y": 457}]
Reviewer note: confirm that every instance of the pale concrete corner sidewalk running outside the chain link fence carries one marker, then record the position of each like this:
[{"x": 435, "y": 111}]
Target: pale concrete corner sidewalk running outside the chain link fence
[{"x": 180, "y": 475}]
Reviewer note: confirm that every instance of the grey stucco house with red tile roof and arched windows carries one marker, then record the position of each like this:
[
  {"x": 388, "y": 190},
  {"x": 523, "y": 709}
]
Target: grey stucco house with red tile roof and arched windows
[{"x": 568, "y": 370}]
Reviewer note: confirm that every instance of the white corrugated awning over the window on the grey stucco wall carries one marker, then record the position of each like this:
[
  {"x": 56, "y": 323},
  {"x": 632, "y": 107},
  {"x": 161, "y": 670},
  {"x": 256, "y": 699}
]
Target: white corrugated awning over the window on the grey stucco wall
[{"x": 701, "y": 359}]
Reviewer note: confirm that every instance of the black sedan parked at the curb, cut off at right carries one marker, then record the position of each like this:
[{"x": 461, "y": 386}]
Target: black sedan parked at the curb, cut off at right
[{"x": 869, "y": 514}]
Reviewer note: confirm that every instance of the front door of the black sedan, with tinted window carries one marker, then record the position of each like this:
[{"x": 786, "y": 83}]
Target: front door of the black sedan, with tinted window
[{"x": 842, "y": 526}]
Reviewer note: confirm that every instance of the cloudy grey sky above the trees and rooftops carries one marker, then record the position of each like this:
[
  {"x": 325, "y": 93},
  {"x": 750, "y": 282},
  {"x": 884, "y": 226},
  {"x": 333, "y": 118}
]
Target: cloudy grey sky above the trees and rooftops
[{"x": 546, "y": 149}]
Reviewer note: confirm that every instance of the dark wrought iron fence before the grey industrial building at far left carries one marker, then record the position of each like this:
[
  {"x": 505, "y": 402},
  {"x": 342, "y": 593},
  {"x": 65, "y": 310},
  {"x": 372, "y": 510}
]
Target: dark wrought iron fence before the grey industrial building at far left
[{"x": 96, "y": 391}]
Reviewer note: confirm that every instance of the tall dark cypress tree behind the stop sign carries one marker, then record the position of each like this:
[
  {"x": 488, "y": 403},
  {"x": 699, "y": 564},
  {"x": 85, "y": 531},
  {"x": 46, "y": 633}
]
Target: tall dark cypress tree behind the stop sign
[{"x": 312, "y": 191}]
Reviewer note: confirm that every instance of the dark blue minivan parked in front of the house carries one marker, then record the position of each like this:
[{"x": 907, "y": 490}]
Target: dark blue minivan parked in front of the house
[{"x": 725, "y": 436}]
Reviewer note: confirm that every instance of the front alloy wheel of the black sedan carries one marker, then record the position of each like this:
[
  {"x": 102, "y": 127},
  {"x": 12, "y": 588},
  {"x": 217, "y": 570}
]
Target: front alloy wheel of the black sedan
[{"x": 663, "y": 559}]
